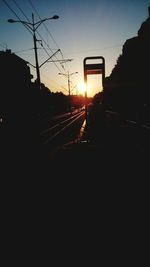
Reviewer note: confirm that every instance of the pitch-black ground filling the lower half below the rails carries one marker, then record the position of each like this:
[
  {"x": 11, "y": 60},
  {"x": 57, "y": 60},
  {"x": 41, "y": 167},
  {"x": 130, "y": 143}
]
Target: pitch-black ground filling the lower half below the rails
[{"x": 83, "y": 196}]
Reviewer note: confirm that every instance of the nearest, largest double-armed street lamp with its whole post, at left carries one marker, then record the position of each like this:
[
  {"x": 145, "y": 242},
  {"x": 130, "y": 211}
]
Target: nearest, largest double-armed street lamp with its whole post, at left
[{"x": 33, "y": 27}]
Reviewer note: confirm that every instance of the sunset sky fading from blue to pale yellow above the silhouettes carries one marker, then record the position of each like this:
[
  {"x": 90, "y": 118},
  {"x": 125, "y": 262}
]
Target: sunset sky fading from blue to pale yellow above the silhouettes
[{"x": 84, "y": 29}]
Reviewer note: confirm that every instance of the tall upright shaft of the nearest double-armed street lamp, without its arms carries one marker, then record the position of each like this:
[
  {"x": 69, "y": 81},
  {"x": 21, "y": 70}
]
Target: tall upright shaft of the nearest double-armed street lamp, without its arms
[{"x": 36, "y": 56}]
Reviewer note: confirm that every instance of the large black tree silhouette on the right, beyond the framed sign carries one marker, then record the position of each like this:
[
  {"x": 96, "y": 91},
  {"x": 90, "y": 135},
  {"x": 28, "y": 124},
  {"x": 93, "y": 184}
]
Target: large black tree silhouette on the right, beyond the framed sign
[{"x": 127, "y": 89}]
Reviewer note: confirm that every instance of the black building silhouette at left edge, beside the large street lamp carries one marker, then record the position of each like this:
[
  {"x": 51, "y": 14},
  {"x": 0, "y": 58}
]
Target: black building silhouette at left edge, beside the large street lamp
[{"x": 15, "y": 85}]
